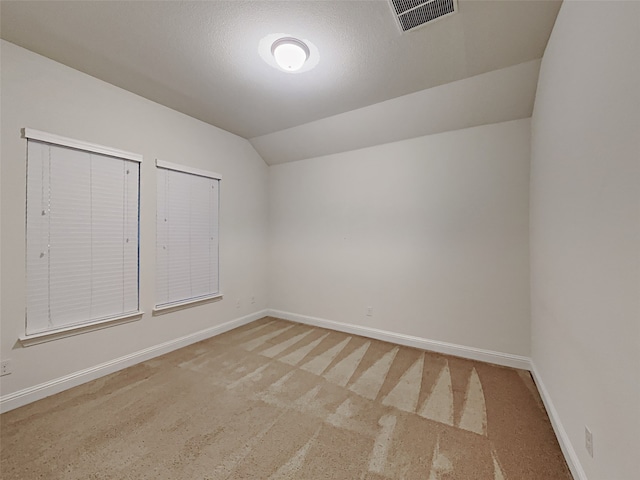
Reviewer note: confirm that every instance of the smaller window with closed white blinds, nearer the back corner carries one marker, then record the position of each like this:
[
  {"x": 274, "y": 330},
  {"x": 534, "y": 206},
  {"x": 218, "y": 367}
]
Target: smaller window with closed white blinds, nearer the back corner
[{"x": 186, "y": 235}]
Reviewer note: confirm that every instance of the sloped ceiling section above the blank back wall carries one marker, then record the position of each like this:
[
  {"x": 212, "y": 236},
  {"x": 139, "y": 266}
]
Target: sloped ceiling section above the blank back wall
[{"x": 497, "y": 96}]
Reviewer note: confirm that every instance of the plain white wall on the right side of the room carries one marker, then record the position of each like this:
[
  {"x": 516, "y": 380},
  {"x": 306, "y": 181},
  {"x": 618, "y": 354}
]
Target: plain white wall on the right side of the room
[{"x": 585, "y": 233}]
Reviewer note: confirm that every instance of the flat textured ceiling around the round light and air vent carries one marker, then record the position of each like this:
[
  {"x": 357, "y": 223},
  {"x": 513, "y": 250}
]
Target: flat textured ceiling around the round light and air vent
[{"x": 201, "y": 58}]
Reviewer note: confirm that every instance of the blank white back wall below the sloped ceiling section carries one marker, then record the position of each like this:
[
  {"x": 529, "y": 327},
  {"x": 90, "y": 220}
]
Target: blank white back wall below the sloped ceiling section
[{"x": 431, "y": 232}]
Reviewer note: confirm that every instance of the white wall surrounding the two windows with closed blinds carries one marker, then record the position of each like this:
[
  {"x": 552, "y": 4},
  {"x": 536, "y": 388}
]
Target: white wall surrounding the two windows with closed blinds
[{"x": 42, "y": 94}]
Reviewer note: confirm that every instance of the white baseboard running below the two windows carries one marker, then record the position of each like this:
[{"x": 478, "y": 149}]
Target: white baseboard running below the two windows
[{"x": 37, "y": 392}]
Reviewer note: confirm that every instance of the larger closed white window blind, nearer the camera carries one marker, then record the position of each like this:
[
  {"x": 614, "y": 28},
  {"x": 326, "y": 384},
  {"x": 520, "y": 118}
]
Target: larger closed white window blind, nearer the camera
[{"x": 82, "y": 235}]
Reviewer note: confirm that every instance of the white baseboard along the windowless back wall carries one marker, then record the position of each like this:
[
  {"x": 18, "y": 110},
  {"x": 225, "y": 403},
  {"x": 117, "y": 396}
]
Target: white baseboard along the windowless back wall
[{"x": 499, "y": 358}]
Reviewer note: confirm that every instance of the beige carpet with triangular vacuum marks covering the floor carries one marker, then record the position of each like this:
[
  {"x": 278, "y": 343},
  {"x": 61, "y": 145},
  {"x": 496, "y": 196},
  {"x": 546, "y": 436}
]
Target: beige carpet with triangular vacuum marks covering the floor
[{"x": 279, "y": 400}]
